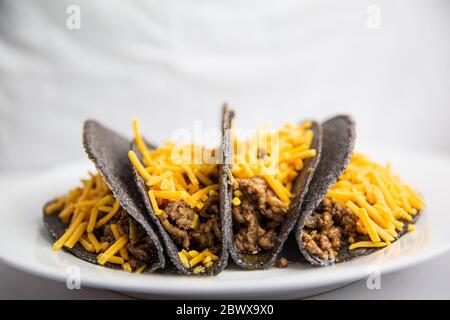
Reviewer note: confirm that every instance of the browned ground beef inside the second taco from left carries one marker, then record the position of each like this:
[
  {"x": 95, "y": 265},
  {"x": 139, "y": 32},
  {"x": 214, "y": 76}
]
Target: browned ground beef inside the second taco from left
[{"x": 178, "y": 218}]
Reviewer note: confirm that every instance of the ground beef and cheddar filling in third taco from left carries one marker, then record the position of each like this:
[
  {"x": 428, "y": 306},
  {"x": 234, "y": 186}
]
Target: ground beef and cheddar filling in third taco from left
[{"x": 264, "y": 171}]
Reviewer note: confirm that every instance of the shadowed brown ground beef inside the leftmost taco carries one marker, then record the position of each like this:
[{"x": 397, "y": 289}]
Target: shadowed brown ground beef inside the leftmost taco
[{"x": 140, "y": 247}]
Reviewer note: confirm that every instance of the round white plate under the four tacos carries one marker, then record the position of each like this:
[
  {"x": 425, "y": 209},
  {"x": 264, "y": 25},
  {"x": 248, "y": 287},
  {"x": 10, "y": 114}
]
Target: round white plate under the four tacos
[{"x": 25, "y": 244}]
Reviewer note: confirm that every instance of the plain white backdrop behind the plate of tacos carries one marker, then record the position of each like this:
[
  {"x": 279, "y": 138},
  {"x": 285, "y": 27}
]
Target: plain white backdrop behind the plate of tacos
[{"x": 171, "y": 63}]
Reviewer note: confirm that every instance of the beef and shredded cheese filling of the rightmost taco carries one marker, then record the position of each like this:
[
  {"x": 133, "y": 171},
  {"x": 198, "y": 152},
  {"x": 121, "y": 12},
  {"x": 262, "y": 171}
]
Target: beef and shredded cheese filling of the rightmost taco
[{"x": 368, "y": 207}]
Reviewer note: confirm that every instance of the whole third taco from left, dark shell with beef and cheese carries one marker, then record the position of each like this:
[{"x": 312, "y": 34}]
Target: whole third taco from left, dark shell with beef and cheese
[{"x": 269, "y": 177}]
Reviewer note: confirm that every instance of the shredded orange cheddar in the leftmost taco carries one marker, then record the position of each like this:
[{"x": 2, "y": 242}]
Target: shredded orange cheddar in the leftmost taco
[{"x": 86, "y": 209}]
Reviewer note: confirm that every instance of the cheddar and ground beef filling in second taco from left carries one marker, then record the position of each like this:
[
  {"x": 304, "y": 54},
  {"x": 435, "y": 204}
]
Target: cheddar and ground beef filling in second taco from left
[{"x": 182, "y": 185}]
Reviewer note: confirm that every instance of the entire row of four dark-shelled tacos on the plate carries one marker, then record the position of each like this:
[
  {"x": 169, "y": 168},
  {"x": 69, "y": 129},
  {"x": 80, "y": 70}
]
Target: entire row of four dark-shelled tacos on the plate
[{"x": 194, "y": 206}]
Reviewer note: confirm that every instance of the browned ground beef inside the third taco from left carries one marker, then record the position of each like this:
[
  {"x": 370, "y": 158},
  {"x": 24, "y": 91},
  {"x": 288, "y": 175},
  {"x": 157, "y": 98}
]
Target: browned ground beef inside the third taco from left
[{"x": 258, "y": 217}]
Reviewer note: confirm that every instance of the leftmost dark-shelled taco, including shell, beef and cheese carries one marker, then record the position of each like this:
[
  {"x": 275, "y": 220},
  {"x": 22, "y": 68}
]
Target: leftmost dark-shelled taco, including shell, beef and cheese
[{"x": 103, "y": 221}]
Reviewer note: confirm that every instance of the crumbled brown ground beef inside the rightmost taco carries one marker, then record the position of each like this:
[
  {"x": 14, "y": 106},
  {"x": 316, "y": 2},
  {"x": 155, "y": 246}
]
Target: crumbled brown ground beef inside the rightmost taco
[{"x": 328, "y": 228}]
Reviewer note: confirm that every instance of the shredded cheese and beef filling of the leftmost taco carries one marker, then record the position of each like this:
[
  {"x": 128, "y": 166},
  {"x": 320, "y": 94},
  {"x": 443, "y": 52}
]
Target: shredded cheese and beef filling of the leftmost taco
[{"x": 96, "y": 221}]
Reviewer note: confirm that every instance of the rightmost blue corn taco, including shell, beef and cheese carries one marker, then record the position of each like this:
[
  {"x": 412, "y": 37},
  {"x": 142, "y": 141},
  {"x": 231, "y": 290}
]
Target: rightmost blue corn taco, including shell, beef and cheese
[{"x": 354, "y": 206}]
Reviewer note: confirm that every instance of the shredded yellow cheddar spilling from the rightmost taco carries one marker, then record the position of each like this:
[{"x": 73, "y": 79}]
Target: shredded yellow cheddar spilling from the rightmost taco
[{"x": 381, "y": 202}]
